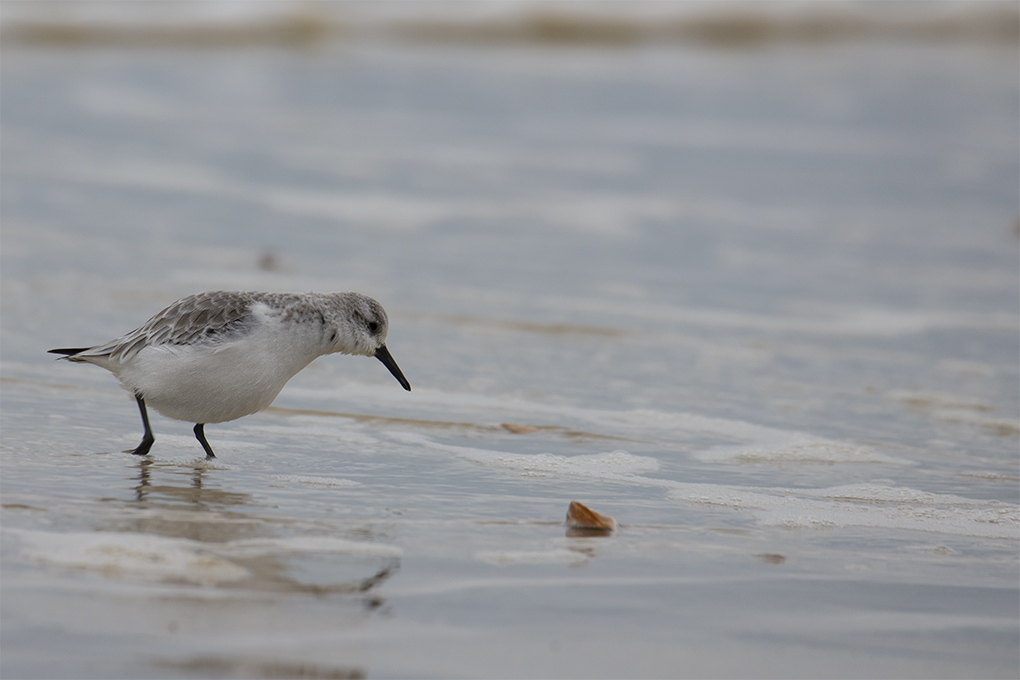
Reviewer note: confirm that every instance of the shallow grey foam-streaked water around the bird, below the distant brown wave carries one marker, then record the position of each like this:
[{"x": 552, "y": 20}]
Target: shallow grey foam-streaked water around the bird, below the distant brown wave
[{"x": 758, "y": 306}]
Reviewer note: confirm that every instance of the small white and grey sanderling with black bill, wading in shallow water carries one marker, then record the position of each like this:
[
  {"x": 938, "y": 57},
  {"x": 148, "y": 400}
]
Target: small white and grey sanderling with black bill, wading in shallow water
[{"x": 218, "y": 356}]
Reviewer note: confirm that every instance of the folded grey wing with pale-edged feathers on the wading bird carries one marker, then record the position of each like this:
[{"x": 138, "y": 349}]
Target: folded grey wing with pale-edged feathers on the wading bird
[{"x": 188, "y": 322}]
